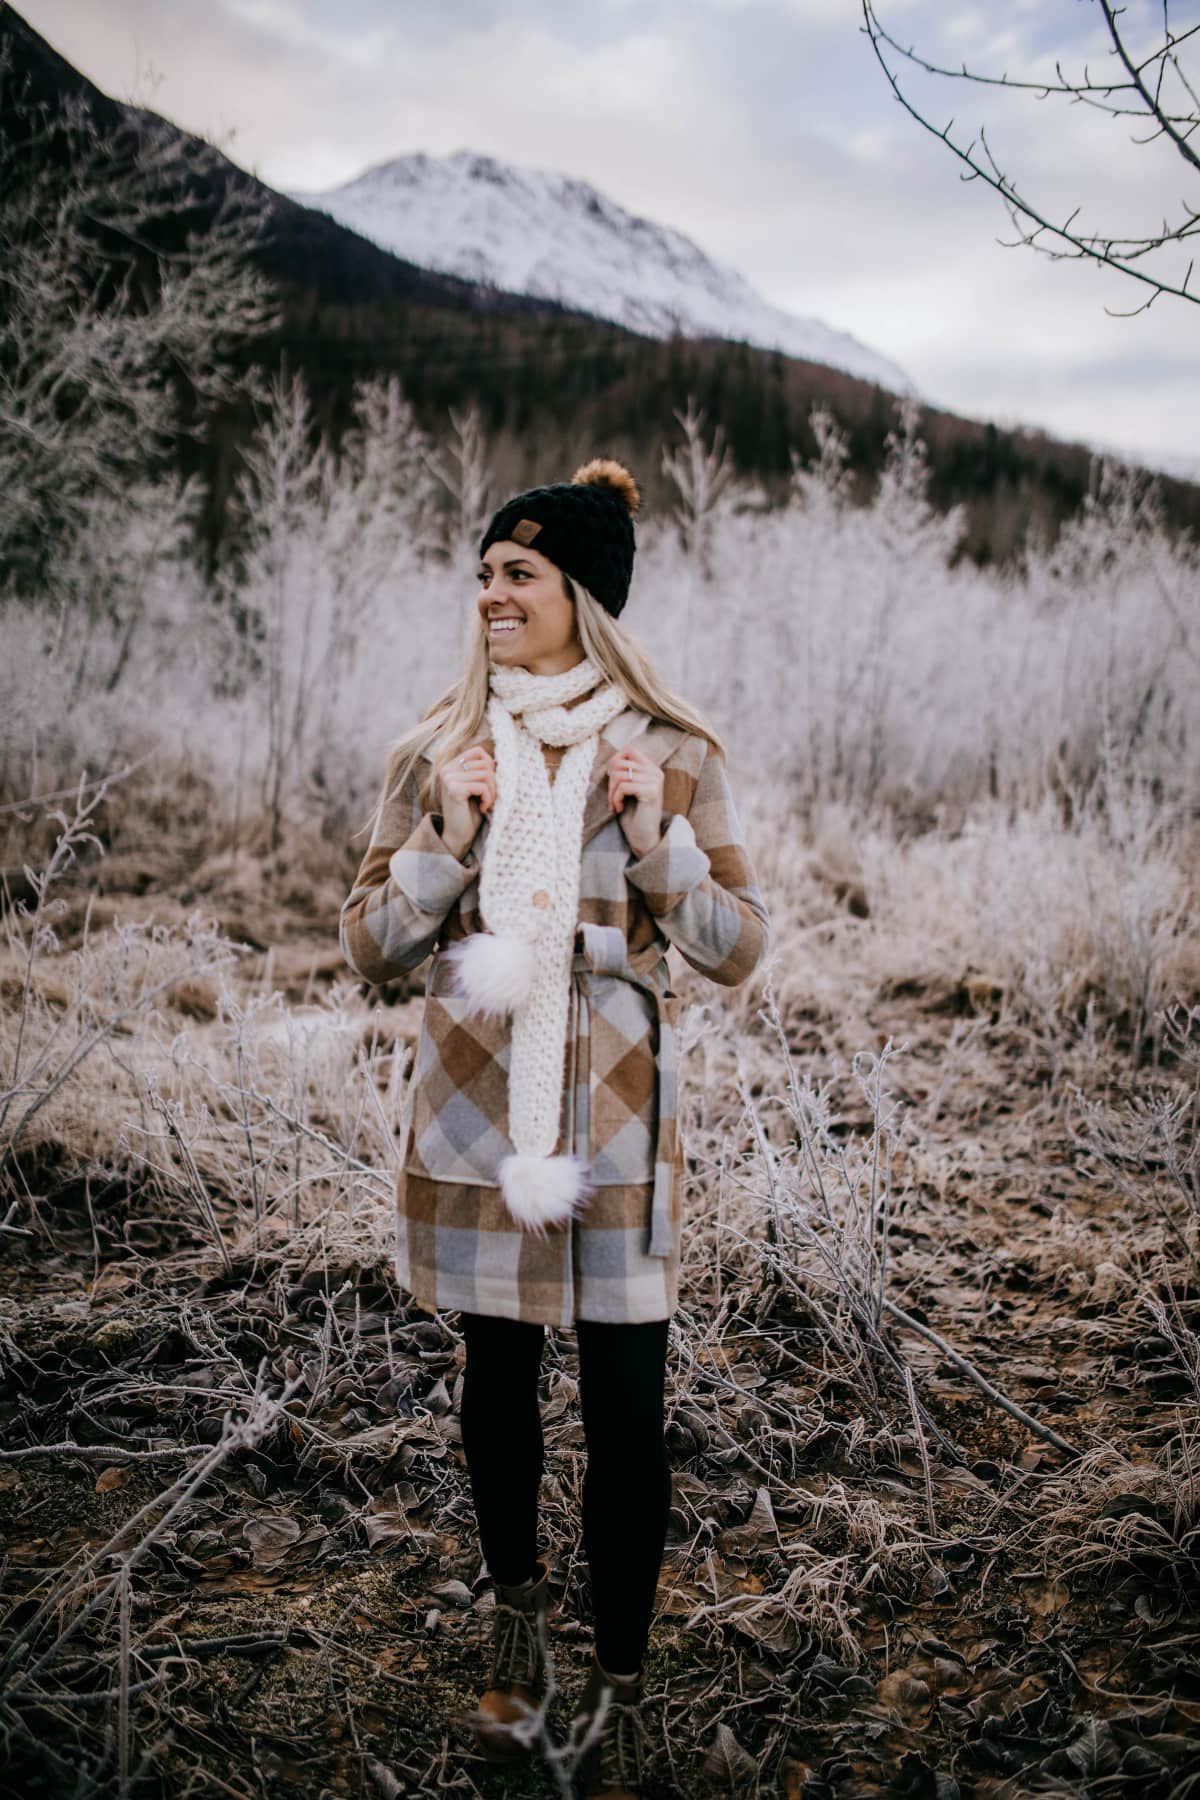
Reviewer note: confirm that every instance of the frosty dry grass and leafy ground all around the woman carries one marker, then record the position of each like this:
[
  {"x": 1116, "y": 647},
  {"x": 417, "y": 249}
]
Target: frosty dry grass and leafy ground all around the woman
[{"x": 942, "y": 1219}]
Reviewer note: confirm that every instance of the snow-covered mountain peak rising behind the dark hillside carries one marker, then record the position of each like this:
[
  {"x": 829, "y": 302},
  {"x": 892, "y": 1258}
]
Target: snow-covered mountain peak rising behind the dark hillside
[{"x": 533, "y": 231}]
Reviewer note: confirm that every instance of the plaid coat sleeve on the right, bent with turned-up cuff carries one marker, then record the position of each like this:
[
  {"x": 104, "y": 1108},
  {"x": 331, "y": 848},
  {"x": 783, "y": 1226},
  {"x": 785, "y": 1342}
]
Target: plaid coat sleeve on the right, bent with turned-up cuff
[{"x": 701, "y": 886}]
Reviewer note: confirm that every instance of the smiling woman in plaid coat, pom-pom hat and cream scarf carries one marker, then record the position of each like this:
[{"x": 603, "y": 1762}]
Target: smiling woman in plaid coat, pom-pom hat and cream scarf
[{"x": 550, "y": 829}]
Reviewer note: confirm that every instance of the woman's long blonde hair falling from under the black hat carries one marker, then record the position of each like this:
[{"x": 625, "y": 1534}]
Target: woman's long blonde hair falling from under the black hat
[{"x": 458, "y": 717}]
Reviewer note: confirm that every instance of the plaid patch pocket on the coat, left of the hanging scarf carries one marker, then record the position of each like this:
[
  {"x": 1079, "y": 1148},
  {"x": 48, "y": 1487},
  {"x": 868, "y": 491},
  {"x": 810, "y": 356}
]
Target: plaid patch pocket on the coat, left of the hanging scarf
[{"x": 460, "y": 1092}]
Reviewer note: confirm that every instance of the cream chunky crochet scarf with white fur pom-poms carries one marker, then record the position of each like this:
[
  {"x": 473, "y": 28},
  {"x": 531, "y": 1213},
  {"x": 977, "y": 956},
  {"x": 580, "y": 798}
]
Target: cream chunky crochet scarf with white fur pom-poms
[{"x": 530, "y": 903}]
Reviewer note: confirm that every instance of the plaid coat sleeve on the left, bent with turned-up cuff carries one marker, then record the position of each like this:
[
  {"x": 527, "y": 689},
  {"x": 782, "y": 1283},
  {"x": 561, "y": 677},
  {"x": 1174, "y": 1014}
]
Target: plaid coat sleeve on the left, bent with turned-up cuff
[{"x": 406, "y": 886}]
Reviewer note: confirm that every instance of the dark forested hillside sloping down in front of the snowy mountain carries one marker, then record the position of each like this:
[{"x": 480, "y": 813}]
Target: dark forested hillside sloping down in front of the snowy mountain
[{"x": 555, "y": 384}]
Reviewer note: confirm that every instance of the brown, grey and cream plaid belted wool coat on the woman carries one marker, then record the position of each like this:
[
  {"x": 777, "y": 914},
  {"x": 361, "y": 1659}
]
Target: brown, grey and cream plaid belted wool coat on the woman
[{"x": 456, "y": 1245}]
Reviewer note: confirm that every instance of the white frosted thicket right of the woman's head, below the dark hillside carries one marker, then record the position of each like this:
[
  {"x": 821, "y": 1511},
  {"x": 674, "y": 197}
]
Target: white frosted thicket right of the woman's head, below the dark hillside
[{"x": 841, "y": 647}]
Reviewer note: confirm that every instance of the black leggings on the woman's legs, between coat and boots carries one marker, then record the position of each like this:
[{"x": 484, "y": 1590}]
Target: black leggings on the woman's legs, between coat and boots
[{"x": 627, "y": 1486}]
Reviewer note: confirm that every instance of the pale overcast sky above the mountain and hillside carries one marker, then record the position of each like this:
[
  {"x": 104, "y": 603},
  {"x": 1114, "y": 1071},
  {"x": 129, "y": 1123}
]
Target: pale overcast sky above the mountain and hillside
[{"x": 762, "y": 129}]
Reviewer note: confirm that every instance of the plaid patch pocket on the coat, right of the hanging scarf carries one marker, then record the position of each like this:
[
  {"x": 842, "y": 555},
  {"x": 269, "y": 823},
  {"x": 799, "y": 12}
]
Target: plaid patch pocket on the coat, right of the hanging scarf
[{"x": 623, "y": 1081}]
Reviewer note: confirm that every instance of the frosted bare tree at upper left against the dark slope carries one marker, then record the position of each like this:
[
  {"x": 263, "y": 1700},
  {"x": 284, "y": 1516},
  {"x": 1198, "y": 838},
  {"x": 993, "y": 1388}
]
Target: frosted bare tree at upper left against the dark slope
[{"x": 127, "y": 298}]
